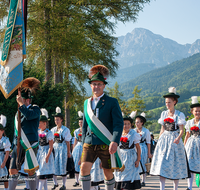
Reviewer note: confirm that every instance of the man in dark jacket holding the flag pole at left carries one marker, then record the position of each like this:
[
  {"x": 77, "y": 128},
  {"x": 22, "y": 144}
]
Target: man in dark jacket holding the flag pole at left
[{"x": 30, "y": 117}]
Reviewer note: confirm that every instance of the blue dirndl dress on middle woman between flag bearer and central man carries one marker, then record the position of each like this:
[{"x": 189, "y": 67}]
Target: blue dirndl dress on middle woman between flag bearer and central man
[{"x": 60, "y": 149}]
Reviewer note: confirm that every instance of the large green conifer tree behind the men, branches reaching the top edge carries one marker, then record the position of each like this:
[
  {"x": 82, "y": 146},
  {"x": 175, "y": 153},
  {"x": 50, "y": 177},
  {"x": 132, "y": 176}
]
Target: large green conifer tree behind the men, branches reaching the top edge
[{"x": 65, "y": 38}]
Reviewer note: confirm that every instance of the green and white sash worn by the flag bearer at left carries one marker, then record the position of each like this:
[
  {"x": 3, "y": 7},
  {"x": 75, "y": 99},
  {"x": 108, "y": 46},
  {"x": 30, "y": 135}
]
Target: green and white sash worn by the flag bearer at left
[{"x": 30, "y": 162}]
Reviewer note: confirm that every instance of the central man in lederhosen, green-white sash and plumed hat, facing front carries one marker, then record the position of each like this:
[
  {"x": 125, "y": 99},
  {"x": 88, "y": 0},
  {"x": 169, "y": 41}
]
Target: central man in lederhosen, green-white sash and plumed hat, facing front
[{"x": 101, "y": 131}]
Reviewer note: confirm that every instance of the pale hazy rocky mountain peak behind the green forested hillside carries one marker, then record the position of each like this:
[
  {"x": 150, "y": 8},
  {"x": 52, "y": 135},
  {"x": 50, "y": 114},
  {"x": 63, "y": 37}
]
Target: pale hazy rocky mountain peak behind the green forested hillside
[{"x": 142, "y": 46}]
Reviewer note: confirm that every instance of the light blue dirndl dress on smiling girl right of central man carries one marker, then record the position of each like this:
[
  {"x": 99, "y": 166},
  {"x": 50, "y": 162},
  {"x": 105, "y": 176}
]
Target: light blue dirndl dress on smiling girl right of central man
[{"x": 129, "y": 178}]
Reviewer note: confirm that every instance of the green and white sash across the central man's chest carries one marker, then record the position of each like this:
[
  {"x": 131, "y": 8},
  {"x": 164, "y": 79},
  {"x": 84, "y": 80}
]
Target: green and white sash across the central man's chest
[{"x": 99, "y": 129}]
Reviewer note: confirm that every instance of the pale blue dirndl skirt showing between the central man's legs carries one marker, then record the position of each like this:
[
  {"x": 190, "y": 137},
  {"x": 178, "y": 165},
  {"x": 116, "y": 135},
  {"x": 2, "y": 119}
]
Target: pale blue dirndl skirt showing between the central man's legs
[{"x": 97, "y": 176}]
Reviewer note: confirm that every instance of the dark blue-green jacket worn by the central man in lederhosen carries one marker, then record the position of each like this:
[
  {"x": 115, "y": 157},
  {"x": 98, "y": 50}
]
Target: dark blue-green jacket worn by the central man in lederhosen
[{"x": 110, "y": 115}]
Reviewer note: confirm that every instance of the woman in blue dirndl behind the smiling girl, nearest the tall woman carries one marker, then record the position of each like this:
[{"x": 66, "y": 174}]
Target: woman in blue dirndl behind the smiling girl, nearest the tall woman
[{"x": 145, "y": 144}]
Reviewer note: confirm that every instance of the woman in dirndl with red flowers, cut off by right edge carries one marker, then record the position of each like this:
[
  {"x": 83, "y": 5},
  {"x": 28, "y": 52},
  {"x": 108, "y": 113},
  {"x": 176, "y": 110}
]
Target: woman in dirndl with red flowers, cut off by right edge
[{"x": 192, "y": 143}]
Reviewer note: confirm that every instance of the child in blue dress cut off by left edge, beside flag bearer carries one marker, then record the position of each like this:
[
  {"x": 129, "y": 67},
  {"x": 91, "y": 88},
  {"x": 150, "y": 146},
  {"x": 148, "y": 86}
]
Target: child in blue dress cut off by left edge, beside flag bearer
[{"x": 4, "y": 152}]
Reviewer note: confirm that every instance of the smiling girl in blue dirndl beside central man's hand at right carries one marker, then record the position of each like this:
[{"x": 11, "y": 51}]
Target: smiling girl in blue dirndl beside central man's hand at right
[{"x": 129, "y": 179}]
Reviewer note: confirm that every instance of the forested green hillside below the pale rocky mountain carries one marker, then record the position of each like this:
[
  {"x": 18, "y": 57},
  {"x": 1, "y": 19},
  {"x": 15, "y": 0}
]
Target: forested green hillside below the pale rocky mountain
[{"x": 182, "y": 74}]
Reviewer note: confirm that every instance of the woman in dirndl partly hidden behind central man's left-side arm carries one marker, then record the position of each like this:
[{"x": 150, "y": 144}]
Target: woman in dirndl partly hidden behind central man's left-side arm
[{"x": 78, "y": 147}]
